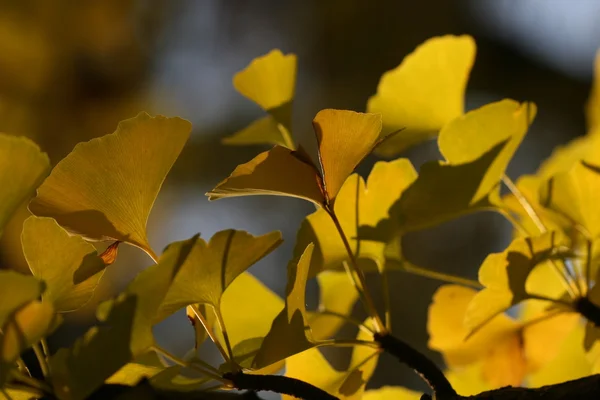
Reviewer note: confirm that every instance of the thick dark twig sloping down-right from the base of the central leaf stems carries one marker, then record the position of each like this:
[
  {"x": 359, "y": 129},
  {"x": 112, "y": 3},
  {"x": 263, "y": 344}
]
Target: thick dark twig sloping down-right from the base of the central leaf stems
[{"x": 426, "y": 368}]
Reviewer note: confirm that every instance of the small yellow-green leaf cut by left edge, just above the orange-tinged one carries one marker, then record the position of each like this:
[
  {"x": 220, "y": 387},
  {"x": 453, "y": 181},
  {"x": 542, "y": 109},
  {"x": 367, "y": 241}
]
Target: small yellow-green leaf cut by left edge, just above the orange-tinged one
[{"x": 16, "y": 290}]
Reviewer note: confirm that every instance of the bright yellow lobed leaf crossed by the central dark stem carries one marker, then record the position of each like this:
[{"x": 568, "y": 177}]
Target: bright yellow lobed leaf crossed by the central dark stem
[{"x": 358, "y": 204}]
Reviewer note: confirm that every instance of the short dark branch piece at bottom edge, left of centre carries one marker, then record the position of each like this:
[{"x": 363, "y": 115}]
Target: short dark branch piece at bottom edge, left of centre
[{"x": 278, "y": 384}]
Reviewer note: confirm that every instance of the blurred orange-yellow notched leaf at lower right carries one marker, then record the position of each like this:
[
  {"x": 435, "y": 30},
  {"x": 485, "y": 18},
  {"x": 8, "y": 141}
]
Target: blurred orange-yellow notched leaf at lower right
[{"x": 497, "y": 345}]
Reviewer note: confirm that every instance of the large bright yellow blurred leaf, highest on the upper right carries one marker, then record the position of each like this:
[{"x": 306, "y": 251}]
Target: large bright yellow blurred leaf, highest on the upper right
[{"x": 424, "y": 92}]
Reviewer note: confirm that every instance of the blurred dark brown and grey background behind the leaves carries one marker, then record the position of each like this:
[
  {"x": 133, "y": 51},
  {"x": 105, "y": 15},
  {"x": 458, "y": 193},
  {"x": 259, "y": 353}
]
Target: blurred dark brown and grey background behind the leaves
[{"x": 70, "y": 71}]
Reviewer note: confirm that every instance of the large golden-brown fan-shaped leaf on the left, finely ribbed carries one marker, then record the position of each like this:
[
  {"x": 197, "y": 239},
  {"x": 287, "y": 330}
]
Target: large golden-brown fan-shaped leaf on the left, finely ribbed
[{"x": 105, "y": 188}]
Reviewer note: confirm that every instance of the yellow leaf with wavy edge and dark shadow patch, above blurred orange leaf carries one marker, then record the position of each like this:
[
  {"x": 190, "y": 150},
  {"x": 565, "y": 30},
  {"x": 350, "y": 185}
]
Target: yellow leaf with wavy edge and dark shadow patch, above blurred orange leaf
[{"x": 505, "y": 274}]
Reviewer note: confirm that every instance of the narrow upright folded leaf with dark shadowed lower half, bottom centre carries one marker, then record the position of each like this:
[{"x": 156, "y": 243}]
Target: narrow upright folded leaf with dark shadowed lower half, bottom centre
[{"x": 291, "y": 323}]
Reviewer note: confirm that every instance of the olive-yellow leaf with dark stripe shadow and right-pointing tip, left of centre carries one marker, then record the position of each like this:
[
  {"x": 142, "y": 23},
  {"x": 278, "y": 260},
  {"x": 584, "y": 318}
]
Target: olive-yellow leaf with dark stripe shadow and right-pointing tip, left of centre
[{"x": 211, "y": 267}]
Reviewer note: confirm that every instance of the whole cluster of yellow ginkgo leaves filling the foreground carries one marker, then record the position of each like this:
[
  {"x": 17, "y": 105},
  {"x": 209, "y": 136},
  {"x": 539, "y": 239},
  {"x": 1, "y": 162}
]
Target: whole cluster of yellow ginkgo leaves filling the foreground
[{"x": 104, "y": 190}]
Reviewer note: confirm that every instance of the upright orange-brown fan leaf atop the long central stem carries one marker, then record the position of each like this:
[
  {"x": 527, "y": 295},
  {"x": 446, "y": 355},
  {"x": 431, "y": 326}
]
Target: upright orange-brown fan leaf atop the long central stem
[{"x": 345, "y": 138}]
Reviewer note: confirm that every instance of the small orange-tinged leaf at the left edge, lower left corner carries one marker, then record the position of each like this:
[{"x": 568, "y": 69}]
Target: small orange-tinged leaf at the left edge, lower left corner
[{"x": 25, "y": 327}]
